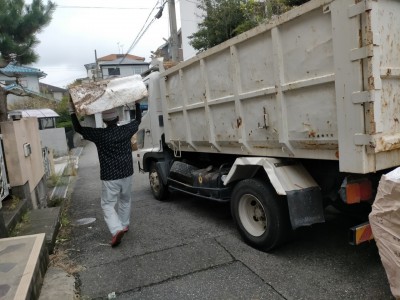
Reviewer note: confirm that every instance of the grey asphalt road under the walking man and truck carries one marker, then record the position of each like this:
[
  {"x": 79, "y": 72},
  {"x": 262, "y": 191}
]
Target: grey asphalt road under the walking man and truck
[{"x": 189, "y": 248}]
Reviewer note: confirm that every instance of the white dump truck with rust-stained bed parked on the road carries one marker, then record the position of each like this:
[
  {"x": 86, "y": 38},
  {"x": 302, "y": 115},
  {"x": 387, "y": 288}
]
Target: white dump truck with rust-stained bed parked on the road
[{"x": 282, "y": 121}]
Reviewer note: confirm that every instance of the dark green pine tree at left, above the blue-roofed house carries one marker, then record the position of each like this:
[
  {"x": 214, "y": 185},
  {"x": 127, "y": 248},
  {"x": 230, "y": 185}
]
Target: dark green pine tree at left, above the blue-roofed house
[{"x": 19, "y": 24}]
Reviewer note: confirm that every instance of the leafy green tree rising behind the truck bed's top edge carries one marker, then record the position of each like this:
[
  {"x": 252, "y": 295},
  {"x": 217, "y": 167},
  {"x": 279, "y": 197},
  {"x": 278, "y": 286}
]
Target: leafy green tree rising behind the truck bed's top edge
[{"x": 224, "y": 19}]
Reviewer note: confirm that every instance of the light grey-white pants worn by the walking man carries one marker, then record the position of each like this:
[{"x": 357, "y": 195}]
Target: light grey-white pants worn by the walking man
[{"x": 116, "y": 192}]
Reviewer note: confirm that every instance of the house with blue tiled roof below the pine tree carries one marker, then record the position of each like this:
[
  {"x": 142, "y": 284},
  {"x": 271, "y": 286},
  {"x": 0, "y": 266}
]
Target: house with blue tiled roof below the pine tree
[{"x": 21, "y": 80}]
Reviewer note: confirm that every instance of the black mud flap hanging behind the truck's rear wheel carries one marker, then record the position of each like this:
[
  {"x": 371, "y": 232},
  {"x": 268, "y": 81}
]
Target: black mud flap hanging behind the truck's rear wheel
[{"x": 305, "y": 207}]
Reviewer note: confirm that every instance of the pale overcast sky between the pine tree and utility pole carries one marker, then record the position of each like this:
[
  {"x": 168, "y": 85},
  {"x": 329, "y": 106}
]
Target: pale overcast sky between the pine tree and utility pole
[{"x": 79, "y": 27}]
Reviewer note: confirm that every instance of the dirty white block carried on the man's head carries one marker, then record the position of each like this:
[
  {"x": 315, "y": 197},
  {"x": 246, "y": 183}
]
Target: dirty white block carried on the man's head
[{"x": 95, "y": 97}]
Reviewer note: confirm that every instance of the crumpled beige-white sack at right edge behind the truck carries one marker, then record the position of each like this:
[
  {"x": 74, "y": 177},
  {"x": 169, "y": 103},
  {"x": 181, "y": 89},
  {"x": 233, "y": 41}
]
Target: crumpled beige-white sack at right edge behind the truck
[{"x": 385, "y": 224}]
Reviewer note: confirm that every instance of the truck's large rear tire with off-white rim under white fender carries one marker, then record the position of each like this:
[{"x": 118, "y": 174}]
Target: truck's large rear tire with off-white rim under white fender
[{"x": 261, "y": 216}]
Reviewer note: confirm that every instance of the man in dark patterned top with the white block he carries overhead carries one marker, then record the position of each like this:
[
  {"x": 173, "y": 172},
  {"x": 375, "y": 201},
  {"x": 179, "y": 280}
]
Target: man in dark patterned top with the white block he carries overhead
[{"x": 113, "y": 143}]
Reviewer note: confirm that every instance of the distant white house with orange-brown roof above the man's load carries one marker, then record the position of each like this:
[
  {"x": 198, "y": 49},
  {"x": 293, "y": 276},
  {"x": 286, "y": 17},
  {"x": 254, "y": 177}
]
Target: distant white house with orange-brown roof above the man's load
[{"x": 116, "y": 65}]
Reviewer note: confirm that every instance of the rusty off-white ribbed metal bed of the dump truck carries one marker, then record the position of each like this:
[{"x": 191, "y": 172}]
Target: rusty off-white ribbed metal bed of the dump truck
[{"x": 321, "y": 81}]
